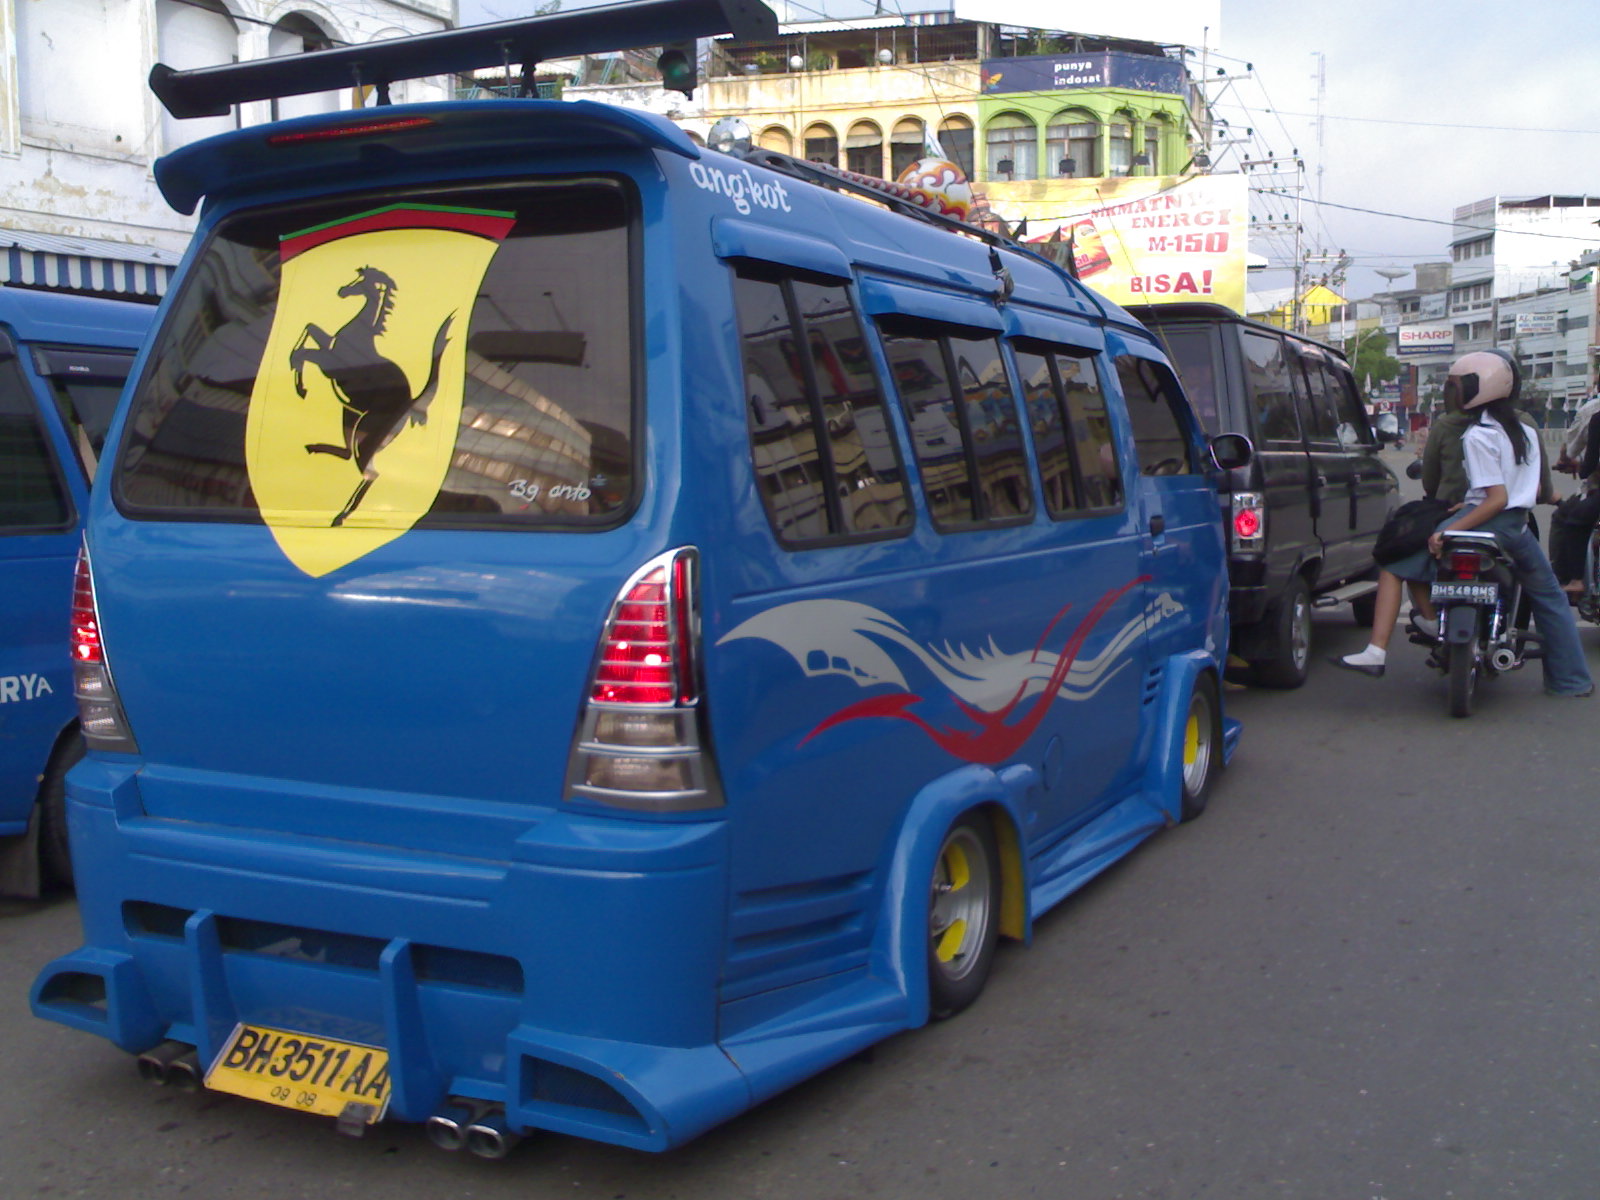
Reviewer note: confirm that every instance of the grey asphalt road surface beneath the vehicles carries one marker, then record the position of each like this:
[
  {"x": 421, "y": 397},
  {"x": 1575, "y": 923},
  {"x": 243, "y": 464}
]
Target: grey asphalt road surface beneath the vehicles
[{"x": 1369, "y": 972}]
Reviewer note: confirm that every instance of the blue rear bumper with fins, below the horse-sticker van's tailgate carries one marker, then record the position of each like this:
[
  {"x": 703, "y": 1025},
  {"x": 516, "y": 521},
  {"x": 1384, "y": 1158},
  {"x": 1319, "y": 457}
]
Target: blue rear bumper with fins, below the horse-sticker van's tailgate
[{"x": 574, "y": 985}]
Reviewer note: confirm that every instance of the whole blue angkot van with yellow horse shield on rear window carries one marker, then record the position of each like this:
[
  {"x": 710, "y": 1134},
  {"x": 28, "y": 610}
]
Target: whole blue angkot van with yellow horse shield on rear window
[{"x": 582, "y": 631}]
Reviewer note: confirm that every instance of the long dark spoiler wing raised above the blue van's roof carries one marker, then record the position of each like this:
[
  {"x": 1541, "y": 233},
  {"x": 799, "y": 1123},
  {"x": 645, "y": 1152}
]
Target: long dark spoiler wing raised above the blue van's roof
[{"x": 212, "y": 92}]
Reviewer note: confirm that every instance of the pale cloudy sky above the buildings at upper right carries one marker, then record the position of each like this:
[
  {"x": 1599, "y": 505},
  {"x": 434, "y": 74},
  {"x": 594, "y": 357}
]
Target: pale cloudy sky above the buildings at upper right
[{"x": 1425, "y": 108}]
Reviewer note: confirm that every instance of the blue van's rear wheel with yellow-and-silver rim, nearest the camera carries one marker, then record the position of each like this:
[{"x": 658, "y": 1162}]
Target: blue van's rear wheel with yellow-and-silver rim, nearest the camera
[{"x": 964, "y": 916}]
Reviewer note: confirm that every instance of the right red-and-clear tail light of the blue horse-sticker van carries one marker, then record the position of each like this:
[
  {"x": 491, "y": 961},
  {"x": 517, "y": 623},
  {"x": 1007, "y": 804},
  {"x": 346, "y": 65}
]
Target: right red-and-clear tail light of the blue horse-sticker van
[{"x": 641, "y": 734}]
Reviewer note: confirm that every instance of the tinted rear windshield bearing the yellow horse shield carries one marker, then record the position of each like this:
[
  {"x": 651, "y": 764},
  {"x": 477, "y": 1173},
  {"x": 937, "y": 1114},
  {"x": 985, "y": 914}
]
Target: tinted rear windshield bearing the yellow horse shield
[{"x": 466, "y": 354}]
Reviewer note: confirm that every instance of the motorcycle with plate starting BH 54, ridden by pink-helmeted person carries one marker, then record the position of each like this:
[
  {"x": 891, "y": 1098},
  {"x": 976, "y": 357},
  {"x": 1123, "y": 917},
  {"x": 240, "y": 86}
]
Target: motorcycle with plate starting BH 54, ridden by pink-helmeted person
[{"x": 1478, "y": 598}]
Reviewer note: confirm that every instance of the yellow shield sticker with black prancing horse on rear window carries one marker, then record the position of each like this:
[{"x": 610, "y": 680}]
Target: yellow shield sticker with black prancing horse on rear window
[{"x": 354, "y": 414}]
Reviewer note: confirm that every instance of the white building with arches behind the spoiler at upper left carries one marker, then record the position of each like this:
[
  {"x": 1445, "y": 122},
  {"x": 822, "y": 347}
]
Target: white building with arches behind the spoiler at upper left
[{"x": 81, "y": 129}]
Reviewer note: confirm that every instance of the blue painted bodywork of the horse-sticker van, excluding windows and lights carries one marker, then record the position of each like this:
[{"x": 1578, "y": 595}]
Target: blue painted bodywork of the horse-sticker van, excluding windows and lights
[{"x": 372, "y": 764}]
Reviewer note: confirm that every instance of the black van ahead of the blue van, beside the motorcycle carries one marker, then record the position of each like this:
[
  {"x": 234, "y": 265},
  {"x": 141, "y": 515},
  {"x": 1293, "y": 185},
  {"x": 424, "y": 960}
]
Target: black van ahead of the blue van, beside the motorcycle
[{"x": 1305, "y": 514}]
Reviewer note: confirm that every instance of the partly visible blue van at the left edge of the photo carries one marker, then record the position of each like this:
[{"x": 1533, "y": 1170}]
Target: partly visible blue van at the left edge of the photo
[{"x": 63, "y": 362}]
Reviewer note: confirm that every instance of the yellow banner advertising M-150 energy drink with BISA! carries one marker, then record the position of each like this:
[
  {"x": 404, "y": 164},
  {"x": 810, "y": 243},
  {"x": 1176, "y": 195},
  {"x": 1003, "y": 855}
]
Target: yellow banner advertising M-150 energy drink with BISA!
[{"x": 1153, "y": 241}]
